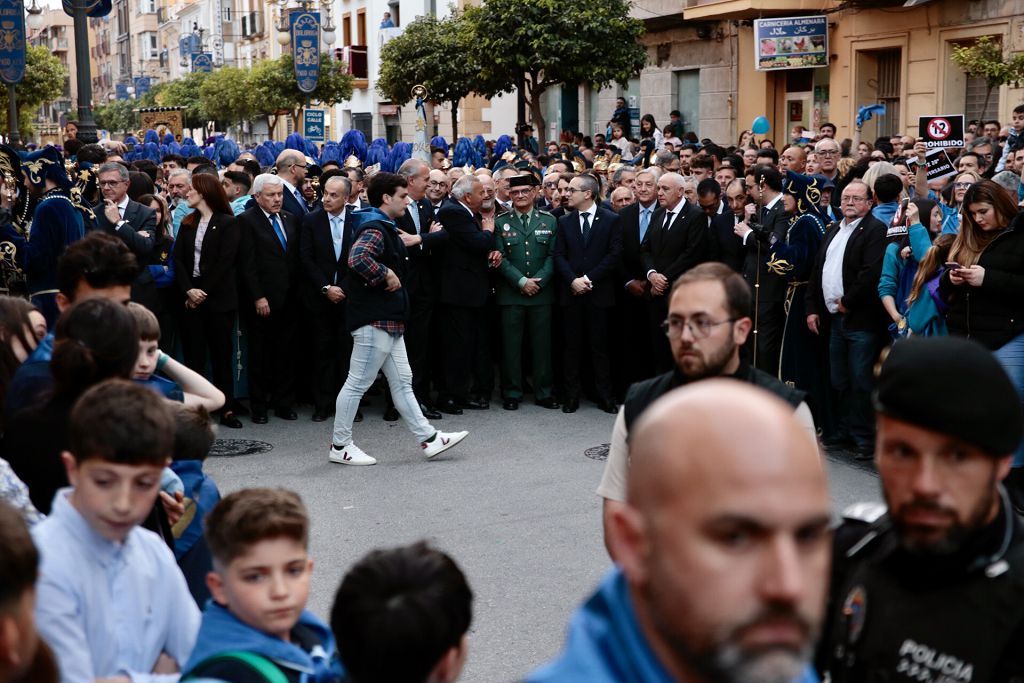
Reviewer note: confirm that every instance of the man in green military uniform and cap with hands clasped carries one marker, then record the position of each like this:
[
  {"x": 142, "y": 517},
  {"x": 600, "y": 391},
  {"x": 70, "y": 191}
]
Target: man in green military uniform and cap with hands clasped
[{"x": 526, "y": 293}]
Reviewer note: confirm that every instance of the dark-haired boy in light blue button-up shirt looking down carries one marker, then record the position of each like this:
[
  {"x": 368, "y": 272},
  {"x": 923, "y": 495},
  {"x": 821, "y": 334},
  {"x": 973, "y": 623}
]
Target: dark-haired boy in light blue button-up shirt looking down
[{"x": 112, "y": 602}]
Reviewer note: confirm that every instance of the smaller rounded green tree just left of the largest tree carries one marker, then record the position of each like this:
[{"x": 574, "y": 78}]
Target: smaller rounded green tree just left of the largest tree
[{"x": 435, "y": 54}]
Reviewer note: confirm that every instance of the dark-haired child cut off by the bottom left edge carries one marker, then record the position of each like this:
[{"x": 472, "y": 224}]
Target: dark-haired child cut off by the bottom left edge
[{"x": 19, "y": 567}]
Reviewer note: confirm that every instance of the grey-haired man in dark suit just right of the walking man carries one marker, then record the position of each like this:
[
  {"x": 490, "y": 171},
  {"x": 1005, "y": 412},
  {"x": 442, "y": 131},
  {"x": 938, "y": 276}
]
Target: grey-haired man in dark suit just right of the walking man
[{"x": 421, "y": 235}]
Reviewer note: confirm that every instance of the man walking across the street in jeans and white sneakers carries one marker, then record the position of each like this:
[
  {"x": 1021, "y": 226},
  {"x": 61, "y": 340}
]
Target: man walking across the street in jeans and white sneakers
[{"x": 378, "y": 309}]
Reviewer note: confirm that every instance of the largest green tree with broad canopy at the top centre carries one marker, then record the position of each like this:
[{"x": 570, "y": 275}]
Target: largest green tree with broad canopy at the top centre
[{"x": 536, "y": 45}]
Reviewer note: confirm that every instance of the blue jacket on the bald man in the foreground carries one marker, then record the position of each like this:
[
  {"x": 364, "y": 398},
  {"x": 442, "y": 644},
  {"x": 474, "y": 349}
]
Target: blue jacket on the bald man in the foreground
[{"x": 606, "y": 645}]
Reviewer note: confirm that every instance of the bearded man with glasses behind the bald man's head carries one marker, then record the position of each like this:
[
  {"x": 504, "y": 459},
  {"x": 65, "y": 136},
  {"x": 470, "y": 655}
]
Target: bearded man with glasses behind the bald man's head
[{"x": 709, "y": 321}]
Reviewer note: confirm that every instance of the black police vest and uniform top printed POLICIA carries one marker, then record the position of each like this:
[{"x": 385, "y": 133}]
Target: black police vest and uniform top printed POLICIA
[{"x": 895, "y": 618}]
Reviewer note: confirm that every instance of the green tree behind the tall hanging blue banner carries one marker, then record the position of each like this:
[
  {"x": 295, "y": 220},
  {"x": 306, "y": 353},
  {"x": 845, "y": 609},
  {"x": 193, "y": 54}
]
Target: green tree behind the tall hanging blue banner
[{"x": 276, "y": 91}]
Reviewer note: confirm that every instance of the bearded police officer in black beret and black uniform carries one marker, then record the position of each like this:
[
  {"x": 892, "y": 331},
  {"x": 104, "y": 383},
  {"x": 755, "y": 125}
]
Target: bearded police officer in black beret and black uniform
[{"x": 930, "y": 590}]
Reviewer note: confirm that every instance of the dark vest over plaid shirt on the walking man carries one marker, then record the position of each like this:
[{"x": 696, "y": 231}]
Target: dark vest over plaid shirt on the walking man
[{"x": 365, "y": 304}]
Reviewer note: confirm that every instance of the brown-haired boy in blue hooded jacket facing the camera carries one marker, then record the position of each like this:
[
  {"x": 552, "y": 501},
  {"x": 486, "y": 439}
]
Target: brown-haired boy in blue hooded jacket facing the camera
[{"x": 257, "y": 628}]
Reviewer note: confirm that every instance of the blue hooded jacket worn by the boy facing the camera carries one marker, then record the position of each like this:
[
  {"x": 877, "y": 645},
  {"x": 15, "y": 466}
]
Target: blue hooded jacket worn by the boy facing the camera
[{"x": 223, "y": 632}]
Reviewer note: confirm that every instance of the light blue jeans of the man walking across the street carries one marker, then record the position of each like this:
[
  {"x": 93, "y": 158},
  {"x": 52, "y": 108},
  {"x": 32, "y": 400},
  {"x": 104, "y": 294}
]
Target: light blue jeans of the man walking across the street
[{"x": 375, "y": 351}]
